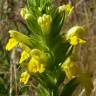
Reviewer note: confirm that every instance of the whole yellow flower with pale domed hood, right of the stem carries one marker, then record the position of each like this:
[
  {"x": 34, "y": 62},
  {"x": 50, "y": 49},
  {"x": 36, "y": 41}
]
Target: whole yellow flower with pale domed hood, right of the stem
[{"x": 75, "y": 35}]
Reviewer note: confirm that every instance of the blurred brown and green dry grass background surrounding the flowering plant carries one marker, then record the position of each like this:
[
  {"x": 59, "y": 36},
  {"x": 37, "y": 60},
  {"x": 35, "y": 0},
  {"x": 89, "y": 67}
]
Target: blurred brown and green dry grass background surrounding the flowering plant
[{"x": 84, "y": 14}]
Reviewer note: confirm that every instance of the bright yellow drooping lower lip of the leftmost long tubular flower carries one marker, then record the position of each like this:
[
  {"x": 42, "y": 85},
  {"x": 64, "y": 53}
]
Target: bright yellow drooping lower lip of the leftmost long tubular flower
[{"x": 11, "y": 44}]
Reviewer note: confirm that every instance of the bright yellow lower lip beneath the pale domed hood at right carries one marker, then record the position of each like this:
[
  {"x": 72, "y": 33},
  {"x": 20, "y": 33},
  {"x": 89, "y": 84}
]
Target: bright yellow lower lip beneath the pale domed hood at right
[{"x": 74, "y": 40}]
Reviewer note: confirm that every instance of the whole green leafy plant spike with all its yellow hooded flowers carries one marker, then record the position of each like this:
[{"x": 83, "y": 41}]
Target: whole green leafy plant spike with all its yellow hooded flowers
[{"x": 47, "y": 53}]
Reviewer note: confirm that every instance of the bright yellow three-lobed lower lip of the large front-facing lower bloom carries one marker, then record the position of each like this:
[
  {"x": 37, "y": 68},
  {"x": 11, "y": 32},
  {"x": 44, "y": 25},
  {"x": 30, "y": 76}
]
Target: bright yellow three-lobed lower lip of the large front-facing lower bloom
[{"x": 35, "y": 65}]
